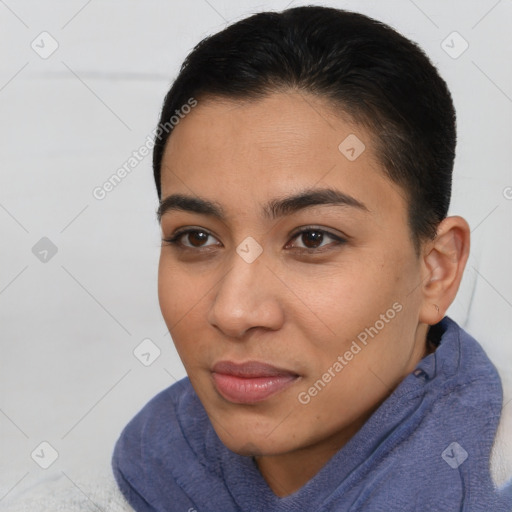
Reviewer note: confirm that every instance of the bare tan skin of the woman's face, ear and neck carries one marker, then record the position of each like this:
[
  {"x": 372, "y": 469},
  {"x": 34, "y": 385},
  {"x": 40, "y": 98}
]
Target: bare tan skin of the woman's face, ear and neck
[{"x": 302, "y": 301}]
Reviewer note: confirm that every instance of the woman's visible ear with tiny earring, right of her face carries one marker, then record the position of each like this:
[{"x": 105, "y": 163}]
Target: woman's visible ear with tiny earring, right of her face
[{"x": 443, "y": 263}]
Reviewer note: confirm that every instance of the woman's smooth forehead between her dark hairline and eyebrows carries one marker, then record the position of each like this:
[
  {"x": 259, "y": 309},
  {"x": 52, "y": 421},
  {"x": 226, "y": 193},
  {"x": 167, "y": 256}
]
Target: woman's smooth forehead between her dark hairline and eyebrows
[{"x": 269, "y": 147}]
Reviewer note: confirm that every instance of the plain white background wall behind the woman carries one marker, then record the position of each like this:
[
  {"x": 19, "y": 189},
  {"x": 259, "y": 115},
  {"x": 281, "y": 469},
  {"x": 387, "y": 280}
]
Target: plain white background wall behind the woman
[{"x": 69, "y": 326}]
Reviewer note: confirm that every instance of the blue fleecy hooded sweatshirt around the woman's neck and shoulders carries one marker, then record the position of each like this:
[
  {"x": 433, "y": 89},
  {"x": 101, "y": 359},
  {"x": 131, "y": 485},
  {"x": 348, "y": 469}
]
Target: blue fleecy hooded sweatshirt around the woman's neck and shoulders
[{"x": 425, "y": 449}]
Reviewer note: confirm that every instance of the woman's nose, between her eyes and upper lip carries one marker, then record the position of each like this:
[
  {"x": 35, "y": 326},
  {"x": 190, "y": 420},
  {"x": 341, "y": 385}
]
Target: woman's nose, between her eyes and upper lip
[{"x": 247, "y": 297}]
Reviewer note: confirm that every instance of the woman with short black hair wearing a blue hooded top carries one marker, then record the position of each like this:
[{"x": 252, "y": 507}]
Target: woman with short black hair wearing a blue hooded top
[{"x": 303, "y": 163}]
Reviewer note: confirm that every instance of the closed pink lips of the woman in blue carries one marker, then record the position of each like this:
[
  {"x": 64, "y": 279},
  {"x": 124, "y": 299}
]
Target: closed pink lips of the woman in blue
[{"x": 250, "y": 382}]
